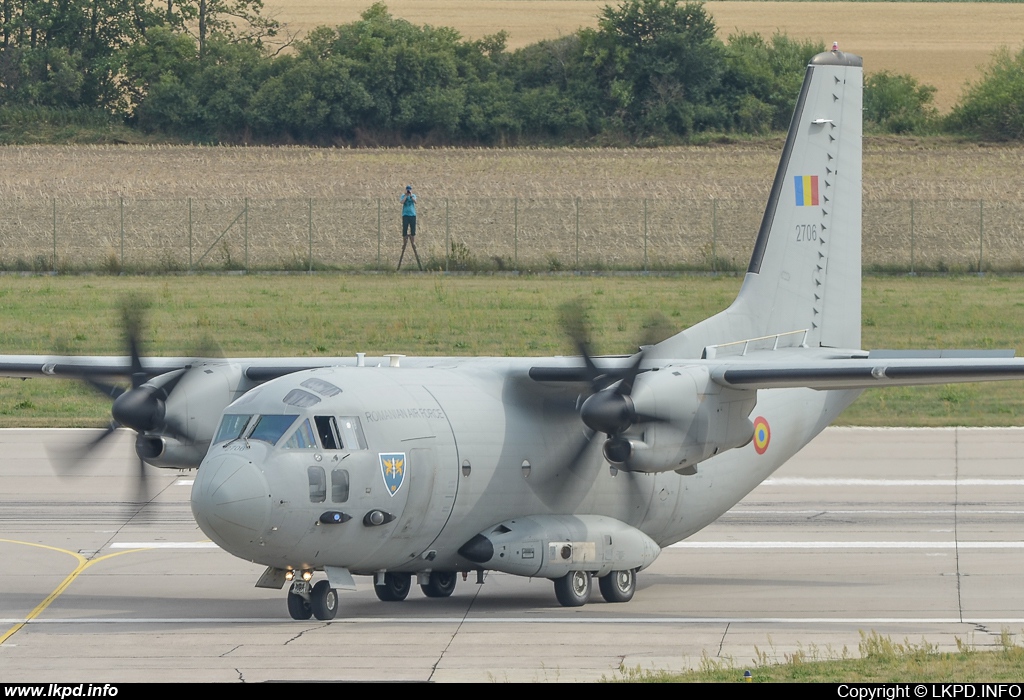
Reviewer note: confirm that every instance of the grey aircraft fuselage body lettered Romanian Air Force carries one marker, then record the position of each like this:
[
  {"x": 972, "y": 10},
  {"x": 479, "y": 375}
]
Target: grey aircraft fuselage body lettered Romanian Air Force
[{"x": 442, "y": 454}]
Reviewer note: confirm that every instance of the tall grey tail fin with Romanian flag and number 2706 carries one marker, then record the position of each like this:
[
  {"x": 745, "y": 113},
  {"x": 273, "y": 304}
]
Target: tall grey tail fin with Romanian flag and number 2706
[{"x": 805, "y": 272}]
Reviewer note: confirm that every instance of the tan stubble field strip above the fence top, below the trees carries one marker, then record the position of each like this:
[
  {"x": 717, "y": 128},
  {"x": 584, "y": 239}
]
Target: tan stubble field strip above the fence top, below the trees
[{"x": 894, "y": 169}]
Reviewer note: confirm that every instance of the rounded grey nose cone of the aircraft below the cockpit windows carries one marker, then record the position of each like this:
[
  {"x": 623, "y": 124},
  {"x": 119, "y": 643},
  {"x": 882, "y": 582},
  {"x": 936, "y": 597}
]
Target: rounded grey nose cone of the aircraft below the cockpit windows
[{"x": 232, "y": 502}]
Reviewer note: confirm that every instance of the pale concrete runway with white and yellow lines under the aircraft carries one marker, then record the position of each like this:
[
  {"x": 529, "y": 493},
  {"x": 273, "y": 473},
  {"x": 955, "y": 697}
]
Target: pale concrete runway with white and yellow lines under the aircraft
[{"x": 912, "y": 534}]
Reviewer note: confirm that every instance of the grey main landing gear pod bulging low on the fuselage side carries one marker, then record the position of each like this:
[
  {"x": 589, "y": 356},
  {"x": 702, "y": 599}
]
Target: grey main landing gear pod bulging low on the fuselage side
[{"x": 550, "y": 547}]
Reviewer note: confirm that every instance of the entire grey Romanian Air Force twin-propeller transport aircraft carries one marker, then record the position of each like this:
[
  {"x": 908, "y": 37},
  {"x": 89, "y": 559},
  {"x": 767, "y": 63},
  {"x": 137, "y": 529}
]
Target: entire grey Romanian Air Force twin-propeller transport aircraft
[{"x": 561, "y": 468}]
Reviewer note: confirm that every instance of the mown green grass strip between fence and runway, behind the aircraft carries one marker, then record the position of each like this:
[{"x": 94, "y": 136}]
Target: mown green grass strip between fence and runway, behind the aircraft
[{"x": 435, "y": 315}]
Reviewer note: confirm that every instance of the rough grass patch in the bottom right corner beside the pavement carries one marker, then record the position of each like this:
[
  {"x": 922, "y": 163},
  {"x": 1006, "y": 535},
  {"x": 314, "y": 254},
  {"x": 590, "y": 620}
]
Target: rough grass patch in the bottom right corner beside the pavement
[{"x": 879, "y": 661}]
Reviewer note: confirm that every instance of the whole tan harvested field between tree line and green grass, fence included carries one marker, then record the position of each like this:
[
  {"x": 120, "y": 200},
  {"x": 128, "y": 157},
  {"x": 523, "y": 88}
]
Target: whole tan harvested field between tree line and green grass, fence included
[{"x": 937, "y": 206}]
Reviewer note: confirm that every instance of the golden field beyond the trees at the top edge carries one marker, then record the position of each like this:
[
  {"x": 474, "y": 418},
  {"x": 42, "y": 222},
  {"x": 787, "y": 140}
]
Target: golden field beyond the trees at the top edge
[{"x": 943, "y": 45}]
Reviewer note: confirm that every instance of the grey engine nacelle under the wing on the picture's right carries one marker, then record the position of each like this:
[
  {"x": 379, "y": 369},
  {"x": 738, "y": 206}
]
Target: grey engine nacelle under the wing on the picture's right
[{"x": 688, "y": 419}]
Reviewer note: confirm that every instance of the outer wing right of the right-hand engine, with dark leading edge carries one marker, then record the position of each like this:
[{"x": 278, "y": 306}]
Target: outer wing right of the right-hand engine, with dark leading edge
[{"x": 882, "y": 370}]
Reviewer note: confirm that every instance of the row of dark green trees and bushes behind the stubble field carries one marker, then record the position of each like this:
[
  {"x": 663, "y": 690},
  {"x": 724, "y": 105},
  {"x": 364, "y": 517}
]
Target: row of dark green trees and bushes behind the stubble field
[{"x": 653, "y": 72}]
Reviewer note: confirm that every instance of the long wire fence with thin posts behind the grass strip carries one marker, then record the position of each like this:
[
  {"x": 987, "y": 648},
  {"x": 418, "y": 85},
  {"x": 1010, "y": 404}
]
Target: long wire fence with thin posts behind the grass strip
[{"x": 490, "y": 234}]
